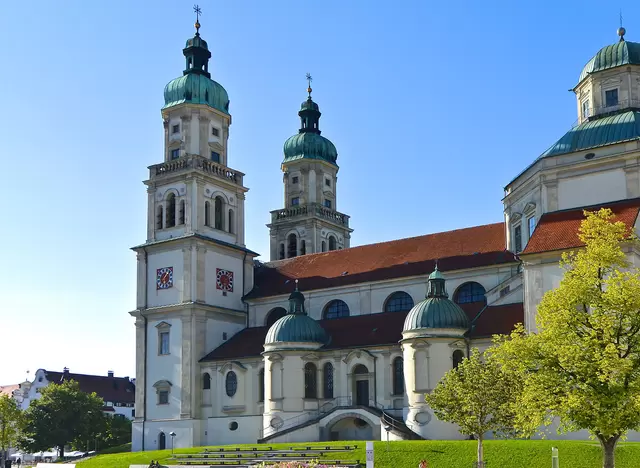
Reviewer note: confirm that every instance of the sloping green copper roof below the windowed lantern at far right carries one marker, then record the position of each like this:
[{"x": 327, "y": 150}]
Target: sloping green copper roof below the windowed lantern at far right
[{"x": 604, "y": 131}]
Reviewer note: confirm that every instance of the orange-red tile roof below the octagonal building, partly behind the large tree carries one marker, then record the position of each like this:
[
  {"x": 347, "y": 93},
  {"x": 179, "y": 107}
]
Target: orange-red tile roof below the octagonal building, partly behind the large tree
[{"x": 559, "y": 230}]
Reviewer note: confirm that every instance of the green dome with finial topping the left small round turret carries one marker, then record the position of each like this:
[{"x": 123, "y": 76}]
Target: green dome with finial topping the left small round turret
[{"x": 296, "y": 326}]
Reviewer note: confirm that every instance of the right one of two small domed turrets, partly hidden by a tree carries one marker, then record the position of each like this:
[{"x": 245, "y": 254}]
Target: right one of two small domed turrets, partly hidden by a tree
[{"x": 433, "y": 340}]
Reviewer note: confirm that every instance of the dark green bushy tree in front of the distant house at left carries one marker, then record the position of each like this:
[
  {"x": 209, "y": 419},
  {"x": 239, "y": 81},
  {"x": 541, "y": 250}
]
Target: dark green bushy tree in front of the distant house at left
[{"x": 64, "y": 414}]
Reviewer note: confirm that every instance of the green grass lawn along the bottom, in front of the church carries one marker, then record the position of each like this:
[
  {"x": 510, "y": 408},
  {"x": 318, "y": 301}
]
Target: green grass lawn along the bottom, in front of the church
[{"x": 440, "y": 454}]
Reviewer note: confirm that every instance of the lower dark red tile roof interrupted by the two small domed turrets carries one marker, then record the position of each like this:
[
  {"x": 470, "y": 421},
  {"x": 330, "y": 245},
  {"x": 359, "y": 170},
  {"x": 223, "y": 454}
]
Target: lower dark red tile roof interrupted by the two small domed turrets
[{"x": 367, "y": 330}]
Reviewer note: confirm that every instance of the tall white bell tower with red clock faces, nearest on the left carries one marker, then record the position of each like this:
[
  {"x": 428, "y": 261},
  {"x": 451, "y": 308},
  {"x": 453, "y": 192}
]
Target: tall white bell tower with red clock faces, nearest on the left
[{"x": 194, "y": 268}]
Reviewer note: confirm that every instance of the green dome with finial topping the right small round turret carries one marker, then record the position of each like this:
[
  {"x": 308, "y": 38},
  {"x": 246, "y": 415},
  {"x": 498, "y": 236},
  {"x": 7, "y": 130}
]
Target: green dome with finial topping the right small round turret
[{"x": 437, "y": 310}]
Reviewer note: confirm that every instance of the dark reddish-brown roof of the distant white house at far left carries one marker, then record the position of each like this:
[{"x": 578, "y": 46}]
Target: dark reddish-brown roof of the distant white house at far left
[{"x": 113, "y": 389}]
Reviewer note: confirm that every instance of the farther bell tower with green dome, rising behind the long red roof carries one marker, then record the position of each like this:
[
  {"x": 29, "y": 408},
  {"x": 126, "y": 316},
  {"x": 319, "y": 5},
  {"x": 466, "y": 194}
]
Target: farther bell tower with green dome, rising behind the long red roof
[{"x": 309, "y": 222}]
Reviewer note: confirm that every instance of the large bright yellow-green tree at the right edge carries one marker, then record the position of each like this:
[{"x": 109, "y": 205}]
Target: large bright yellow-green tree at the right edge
[{"x": 583, "y": 364}]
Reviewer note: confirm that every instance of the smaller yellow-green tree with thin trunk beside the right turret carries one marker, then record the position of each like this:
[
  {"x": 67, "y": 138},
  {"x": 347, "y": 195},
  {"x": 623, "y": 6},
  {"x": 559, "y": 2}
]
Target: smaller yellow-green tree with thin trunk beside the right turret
[{"x": 477, "y": 396}]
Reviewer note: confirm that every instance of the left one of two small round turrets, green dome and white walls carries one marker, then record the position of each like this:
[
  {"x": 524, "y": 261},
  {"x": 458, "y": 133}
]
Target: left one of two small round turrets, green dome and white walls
[{"x": 290, "y": 363}]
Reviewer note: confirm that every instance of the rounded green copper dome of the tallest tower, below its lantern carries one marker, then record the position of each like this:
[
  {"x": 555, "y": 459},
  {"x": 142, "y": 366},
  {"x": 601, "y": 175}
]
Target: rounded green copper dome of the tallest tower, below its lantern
[{"x": 196, "y": 89}]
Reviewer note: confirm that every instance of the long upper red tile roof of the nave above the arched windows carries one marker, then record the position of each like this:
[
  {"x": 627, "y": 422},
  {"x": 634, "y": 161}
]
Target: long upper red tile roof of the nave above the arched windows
[{"x": 454, "y": 250}]
